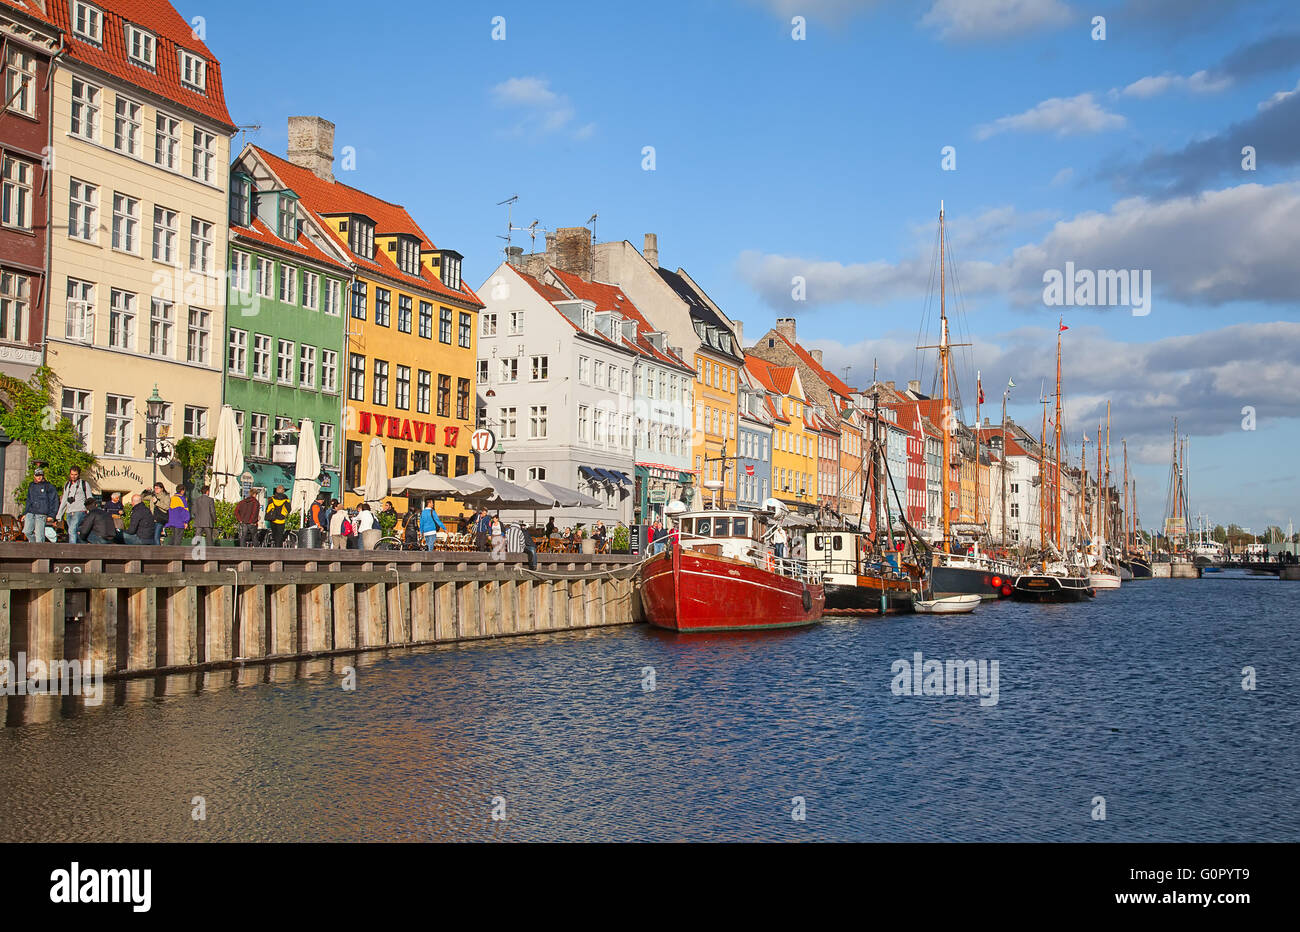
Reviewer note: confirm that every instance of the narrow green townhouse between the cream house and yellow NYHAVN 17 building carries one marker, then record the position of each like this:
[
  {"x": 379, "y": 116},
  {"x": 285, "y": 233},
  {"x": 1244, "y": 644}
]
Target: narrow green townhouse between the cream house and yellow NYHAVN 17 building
[{"x": 284, "y": 341}]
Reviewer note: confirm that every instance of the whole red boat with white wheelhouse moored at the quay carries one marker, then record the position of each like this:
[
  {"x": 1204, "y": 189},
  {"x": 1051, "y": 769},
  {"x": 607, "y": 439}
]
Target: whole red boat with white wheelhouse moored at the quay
[{"x": 721, "y": 575}]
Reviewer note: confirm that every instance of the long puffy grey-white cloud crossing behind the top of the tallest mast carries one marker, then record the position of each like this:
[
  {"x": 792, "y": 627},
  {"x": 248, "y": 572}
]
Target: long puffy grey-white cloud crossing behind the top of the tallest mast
[{"x": 1234, "y": 245}]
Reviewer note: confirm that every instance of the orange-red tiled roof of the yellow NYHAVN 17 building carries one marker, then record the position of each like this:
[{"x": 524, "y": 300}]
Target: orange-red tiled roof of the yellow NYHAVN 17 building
[{"x": 326, "y": 198}]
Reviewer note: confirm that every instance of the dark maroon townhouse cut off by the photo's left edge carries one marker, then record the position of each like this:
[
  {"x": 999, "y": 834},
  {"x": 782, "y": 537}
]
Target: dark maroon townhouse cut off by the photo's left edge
[{"x": 28, "y": 42}]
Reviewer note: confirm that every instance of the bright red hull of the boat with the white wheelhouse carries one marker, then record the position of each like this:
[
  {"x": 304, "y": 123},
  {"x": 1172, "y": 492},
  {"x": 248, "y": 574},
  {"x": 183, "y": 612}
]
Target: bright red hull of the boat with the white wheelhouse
[{"x": 688, "y": 591}]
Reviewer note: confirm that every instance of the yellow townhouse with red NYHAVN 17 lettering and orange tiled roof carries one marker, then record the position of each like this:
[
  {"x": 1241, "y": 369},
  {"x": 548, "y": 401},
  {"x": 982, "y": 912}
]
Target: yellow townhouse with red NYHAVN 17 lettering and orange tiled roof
[{"x": 411, "y": 322}]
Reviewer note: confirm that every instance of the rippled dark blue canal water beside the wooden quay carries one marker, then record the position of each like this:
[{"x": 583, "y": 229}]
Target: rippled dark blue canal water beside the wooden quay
[{"x": 1132, "y": 706}]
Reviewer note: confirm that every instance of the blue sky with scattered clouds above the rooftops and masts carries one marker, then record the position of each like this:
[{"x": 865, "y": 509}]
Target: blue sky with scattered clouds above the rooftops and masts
[{"x": 822, "y": 158}]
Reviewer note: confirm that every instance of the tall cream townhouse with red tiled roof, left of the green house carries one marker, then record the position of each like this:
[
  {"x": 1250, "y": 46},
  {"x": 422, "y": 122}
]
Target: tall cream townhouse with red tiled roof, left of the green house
[{"x": 141, "y": 137}]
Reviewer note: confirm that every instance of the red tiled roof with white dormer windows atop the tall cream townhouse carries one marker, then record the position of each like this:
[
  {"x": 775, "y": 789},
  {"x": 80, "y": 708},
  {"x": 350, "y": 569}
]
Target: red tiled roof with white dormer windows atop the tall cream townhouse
[{"x": 171, "y": 31}]
